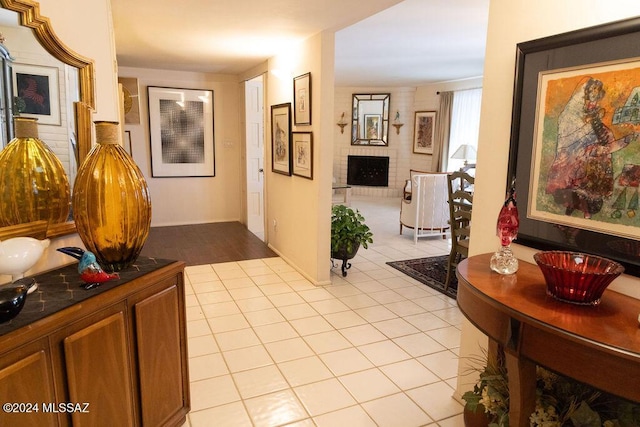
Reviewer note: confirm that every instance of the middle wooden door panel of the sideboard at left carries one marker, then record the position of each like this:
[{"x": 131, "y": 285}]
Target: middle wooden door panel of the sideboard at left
[{"x": 99, "y": 373}]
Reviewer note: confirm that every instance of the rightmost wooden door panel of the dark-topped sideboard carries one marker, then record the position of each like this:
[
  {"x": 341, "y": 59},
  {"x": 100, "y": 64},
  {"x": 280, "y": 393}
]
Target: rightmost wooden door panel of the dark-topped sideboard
[{"x": 160, "y": 359}]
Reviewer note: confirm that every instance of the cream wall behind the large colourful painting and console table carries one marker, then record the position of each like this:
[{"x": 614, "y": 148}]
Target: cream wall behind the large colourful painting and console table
[{"x": 510, "y": 23}]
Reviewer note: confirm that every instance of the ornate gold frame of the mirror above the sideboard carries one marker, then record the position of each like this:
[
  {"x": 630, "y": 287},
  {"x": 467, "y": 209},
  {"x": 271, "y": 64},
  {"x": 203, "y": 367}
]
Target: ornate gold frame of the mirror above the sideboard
[{"x": 29, "y": 16}]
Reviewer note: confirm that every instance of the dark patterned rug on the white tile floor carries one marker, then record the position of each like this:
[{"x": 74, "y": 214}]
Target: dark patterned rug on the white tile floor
[{"x": 430, "y": 271}]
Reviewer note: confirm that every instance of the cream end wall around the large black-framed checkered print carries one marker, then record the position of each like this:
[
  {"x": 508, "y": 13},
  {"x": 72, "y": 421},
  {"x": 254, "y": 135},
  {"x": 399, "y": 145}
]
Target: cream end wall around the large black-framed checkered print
[{"x": 178, "y": 201}]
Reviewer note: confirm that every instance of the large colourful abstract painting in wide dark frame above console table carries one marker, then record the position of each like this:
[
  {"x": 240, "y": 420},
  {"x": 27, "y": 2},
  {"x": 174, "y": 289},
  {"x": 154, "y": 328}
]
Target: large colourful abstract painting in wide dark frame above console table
[{"x": 575, "y": 145}]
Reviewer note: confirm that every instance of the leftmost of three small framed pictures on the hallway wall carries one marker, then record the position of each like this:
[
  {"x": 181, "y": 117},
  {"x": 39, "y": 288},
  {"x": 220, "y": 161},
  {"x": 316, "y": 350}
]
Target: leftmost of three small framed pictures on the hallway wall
[{"x": 281, "y": 138}]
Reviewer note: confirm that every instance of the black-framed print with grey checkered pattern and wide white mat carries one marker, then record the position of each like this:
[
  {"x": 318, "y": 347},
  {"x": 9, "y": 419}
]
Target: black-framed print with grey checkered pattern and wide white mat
[{"x": 181, "y": 131}]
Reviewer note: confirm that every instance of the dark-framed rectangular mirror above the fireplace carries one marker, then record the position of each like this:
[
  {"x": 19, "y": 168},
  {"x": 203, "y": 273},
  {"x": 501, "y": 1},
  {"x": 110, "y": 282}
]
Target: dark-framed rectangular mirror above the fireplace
[{"x": 370, "y": 117}]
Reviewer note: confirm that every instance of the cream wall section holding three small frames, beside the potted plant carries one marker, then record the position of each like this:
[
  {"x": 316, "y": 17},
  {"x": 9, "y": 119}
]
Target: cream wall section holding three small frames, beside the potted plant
[{"x": 298, "y": 209}]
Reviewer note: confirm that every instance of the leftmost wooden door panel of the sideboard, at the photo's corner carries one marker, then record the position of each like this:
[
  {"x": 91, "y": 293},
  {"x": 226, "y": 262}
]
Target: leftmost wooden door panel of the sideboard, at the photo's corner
[{"x": 25, "y": 378}]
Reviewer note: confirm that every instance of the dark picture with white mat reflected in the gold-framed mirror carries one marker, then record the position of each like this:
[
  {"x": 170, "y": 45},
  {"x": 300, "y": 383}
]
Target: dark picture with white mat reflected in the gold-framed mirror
[{"x": 37, "y": 93}]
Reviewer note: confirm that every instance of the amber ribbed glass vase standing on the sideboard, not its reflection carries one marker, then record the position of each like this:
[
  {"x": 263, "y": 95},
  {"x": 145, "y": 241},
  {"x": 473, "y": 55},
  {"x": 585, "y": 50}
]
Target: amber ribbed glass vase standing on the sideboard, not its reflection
[{"x": 111, "y": 202}]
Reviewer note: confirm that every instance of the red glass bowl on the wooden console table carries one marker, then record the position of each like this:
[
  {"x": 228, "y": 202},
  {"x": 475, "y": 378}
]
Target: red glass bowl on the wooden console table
[{"x": 576, "y": 277}]
